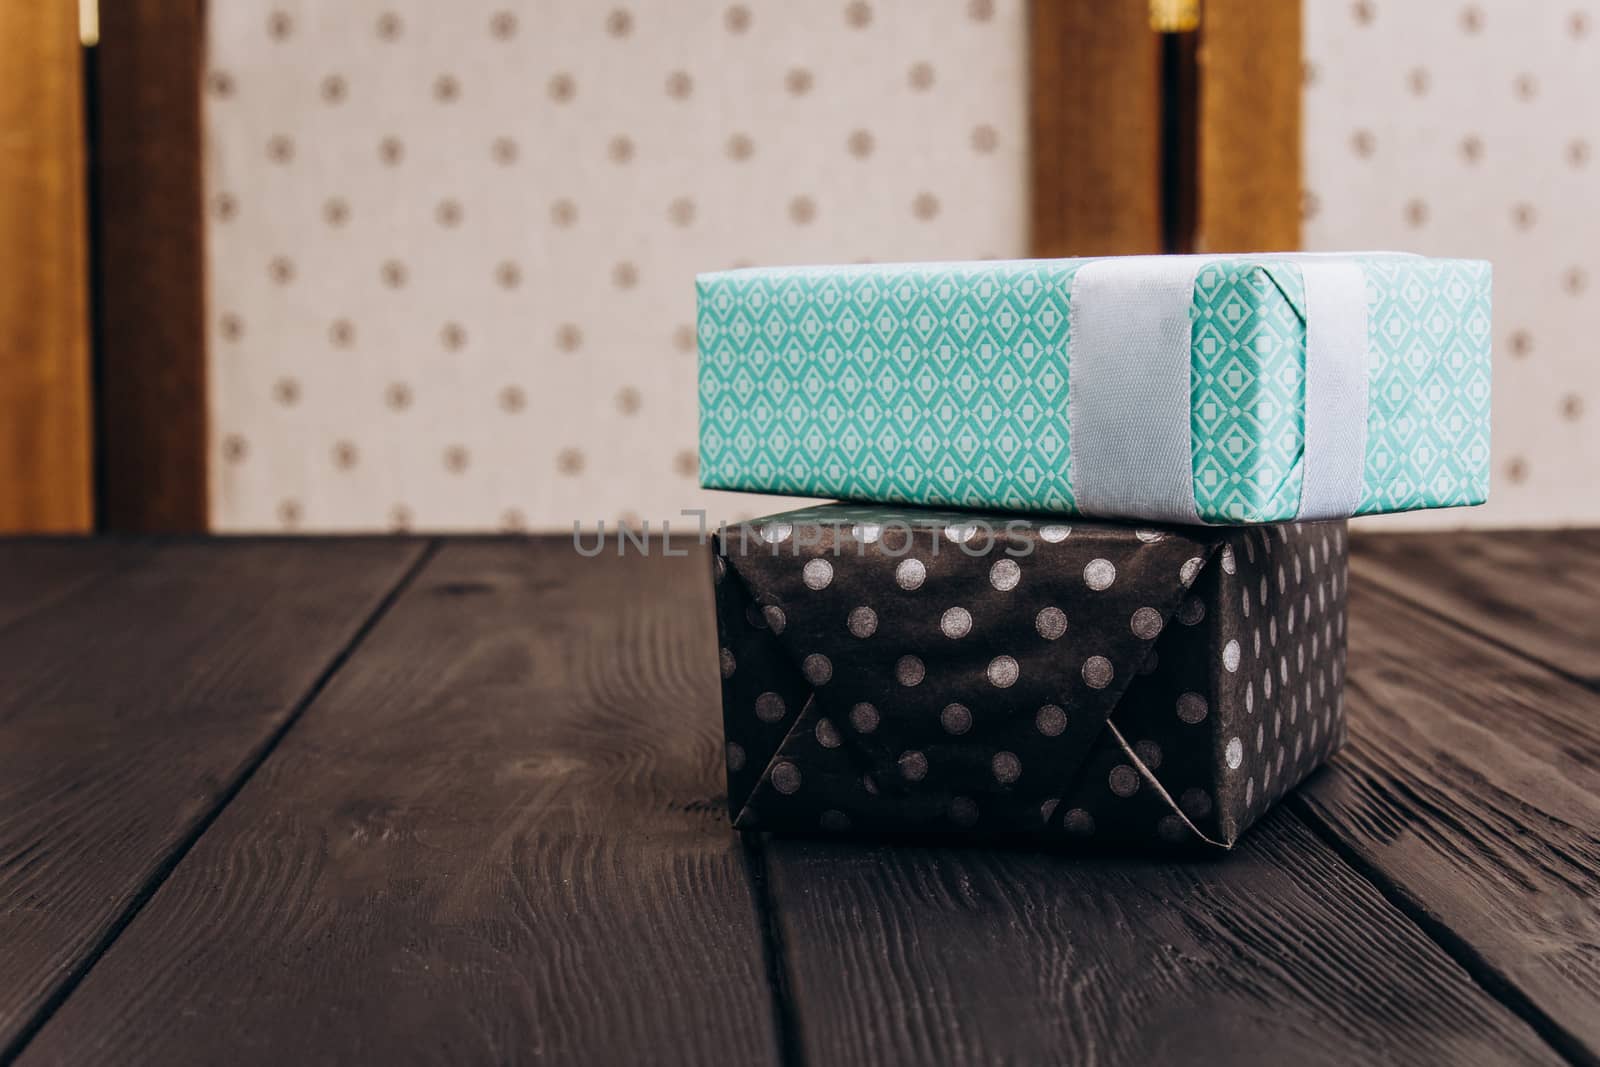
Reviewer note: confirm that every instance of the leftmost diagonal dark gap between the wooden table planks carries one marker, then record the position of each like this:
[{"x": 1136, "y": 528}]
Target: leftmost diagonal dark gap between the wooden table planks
[{"x": 159, "y": 877}]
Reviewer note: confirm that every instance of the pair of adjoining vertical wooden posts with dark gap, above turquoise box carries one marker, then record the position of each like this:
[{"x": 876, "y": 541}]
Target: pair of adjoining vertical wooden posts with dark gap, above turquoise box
[{"x": 1146, "y": 142}]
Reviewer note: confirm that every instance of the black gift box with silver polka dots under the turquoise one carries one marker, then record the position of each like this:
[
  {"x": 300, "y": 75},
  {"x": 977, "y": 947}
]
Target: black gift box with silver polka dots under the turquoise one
[{"x": 903, "y": 671}]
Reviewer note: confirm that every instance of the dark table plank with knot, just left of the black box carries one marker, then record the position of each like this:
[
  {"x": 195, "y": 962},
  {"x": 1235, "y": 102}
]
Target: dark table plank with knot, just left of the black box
[{"x": 498, "y": 836}]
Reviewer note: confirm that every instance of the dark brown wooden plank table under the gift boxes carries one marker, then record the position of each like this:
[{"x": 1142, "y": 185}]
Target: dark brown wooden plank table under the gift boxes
[{"x": 417, "y": 801}]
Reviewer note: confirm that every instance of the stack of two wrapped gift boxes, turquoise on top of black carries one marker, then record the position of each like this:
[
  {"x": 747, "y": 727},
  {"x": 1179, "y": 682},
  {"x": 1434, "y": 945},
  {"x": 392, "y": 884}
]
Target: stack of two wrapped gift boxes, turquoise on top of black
[{"x": 1089, "y": 572}]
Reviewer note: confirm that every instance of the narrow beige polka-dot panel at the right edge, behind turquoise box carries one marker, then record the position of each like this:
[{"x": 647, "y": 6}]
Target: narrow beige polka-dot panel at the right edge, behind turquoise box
[{"x": 1470, "y": 129}]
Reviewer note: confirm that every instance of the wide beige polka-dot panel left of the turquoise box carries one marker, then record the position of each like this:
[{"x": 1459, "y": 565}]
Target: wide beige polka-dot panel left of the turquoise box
[{"x": 452, "y": 247}]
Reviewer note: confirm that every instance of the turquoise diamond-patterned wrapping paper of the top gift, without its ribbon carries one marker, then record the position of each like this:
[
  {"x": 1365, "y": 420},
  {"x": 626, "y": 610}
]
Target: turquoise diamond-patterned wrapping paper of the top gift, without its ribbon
[{"x": 946, "y": 385}]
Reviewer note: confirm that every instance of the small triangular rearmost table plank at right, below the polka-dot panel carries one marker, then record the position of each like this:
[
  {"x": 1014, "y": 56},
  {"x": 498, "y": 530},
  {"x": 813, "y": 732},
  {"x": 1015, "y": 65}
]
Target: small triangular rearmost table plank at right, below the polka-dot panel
[{"x": 1532, "y": 591}]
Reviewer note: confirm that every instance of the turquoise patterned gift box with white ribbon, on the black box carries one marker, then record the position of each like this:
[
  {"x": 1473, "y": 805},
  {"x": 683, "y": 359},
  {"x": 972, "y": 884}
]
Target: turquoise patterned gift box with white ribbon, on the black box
[{"x": 1212, "y": 390}]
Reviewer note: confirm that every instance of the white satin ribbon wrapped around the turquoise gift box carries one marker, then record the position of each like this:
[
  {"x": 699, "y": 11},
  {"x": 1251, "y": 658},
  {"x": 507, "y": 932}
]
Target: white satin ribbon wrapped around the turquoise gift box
[{"x": 1129, "y": 386}]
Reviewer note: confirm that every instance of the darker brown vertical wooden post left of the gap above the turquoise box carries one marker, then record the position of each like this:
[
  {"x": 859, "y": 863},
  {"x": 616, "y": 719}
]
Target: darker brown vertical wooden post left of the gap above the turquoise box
[{"x": 1095, "y": 151}]
